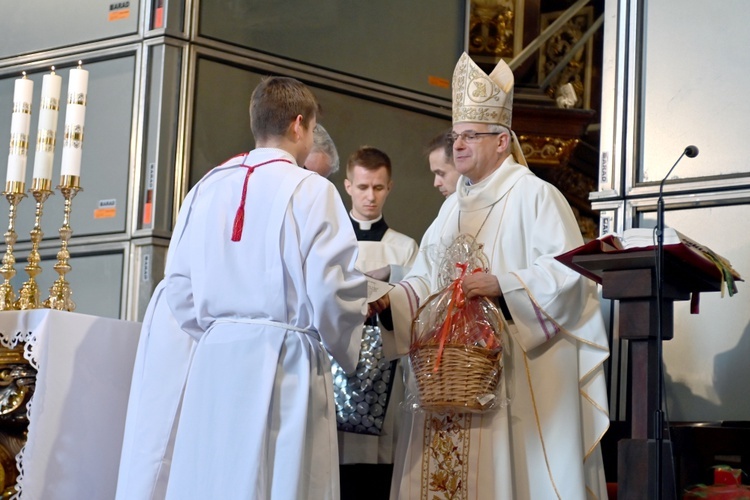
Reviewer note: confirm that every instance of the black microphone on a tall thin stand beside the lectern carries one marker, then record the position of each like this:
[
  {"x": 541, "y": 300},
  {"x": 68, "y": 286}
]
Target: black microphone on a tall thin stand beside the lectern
[{"x": 658, "y": 417}]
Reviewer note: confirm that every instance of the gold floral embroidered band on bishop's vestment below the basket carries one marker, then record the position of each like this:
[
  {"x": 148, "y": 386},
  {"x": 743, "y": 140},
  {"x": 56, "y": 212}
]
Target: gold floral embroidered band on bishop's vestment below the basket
[{"x": 445, "y": 466}]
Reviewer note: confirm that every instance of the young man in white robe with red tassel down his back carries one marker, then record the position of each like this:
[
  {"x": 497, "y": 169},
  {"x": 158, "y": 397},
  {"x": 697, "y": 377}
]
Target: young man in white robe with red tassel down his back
[{"x": 261, "y": 274}]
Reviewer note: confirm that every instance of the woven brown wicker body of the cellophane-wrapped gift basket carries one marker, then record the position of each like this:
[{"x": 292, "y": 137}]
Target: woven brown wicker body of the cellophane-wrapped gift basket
[{"x": 465, "y": 381}]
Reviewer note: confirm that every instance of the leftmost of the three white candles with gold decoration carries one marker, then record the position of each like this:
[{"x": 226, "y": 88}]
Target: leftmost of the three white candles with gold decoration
[{"x": 19, "y": 130}]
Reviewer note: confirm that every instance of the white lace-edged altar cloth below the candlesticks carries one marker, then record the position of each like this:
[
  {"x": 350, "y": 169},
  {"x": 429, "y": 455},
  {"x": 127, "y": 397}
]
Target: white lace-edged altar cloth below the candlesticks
[{"x": 77, "y": 413}]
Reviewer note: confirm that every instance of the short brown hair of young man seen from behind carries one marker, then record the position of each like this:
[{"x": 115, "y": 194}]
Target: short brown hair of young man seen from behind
[{"x": 275, "y": 104}]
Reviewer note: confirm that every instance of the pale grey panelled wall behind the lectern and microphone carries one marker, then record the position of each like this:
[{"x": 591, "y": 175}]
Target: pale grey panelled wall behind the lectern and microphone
[{"x": 675, "y": 77}]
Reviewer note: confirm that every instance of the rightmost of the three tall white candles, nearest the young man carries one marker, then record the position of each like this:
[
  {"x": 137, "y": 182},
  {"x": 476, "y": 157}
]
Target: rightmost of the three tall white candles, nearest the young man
[{"x": 75, "y": 113}]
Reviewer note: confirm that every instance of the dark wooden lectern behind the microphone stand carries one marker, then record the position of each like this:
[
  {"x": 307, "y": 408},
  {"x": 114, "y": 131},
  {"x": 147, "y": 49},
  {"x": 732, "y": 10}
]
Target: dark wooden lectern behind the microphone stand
[{"x": 630, "y": 277}]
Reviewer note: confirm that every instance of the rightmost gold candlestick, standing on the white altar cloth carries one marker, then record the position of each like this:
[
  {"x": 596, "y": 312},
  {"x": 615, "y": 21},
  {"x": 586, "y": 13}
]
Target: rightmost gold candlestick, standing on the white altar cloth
[{"x": 60, "y": 292}]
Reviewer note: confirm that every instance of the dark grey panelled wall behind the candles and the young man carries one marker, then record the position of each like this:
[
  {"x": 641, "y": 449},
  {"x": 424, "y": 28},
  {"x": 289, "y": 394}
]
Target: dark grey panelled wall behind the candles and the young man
[{"x": 169, "y": 86}]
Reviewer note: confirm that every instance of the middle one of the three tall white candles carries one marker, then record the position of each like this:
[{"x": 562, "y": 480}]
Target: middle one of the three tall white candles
[{"x": 45, "y": 140}]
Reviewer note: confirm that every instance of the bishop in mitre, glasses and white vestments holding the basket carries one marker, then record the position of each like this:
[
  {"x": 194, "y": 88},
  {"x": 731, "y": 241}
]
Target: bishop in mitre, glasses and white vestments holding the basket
[{"x": 545, "y": 443}]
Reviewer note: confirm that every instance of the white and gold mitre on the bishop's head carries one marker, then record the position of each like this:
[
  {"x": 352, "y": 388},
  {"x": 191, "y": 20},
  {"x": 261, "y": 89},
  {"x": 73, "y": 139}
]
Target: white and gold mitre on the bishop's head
[{"x": 479, "y": 98}]
